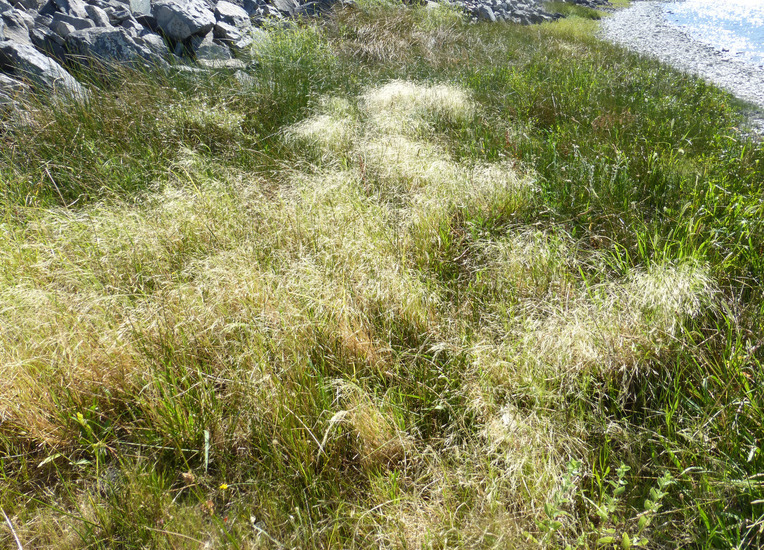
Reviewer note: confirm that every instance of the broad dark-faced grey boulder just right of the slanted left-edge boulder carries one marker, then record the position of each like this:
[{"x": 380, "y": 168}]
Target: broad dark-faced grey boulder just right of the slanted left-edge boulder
[{"x": 109, "y": 44}]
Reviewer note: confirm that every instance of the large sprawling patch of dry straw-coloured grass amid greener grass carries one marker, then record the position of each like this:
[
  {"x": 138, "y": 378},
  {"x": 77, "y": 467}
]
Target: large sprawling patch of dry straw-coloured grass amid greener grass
[{"x": 122, "y": 304}]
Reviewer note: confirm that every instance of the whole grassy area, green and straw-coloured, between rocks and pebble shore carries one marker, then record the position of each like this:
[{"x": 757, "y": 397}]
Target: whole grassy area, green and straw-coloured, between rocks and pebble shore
[{"x": 412, "y": 283}]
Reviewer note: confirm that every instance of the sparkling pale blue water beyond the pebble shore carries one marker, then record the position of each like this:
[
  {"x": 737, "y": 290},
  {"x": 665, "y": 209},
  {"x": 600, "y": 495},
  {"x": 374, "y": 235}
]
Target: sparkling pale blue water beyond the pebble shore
[{"x": 736, "y": 26}]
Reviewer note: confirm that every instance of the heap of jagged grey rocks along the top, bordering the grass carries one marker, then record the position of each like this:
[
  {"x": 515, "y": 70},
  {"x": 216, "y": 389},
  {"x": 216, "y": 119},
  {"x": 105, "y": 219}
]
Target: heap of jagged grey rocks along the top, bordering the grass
[{"x": 39, "y": 38}]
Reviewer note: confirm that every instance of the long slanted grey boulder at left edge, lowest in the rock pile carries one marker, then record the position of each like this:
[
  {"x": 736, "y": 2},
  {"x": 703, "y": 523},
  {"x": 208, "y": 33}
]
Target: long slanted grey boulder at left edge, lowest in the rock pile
[{"x": 25, "y": 62}]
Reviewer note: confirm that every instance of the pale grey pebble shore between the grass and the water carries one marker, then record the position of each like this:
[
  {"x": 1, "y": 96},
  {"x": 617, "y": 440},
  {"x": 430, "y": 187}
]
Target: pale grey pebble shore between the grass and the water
[{"x": 642, "y": 28}]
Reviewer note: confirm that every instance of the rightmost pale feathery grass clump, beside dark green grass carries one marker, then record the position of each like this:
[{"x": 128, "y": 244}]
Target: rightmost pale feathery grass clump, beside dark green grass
[{"x": 619, "y": 326}]
